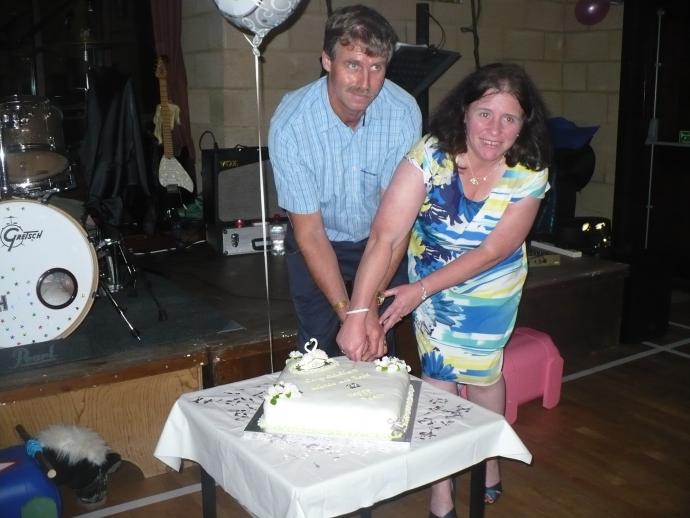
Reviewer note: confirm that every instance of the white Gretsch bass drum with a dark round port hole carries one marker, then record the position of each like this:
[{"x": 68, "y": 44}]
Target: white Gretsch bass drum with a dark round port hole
[{"x": 49, "y": 273}]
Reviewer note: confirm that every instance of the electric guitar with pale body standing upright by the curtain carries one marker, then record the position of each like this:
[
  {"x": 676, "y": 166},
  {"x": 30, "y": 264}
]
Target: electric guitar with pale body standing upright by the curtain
[{"x": 170, "y": 171}]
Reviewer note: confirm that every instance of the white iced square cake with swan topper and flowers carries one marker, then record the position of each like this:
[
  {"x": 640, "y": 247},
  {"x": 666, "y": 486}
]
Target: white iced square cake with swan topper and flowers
[{"x": 318, "y": 395}]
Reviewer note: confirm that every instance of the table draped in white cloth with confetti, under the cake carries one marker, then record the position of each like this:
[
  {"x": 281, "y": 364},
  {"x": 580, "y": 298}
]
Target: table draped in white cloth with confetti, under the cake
[{"x": 298, "y": 477}]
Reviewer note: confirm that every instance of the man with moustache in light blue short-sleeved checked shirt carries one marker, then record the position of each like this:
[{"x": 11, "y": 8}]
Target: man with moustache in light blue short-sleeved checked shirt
[{"x": 334, "y": 145}]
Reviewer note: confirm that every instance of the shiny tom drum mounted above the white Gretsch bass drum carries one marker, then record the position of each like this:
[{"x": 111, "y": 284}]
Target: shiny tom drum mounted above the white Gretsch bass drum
[{"x": 32, "y": 138}]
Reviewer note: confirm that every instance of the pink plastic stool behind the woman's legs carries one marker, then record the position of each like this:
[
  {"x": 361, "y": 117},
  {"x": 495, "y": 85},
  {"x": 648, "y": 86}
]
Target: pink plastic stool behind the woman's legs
[{"x": 532, "y": 368}]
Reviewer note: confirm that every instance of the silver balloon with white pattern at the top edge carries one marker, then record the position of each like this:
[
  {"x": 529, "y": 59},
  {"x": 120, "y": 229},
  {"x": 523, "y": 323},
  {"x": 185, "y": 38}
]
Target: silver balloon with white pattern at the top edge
[{"x": 257, "y": 16}]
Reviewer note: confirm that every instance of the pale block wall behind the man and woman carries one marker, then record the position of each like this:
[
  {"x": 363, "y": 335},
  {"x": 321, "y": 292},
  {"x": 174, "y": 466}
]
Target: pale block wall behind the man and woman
[{"x": 576, "y": 67}]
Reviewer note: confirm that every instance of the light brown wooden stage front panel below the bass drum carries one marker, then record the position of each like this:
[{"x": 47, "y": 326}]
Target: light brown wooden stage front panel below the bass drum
[{"x": 129, "y": 415}]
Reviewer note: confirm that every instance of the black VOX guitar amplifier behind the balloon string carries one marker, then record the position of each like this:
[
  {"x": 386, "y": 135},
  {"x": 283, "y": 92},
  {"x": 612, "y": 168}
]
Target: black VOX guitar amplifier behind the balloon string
[{"x": 232, "y": 185}]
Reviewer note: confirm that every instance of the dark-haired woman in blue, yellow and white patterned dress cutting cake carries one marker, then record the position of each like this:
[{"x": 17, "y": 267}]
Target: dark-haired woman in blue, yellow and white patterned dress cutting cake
[{"x": 469, "y": 191}]
